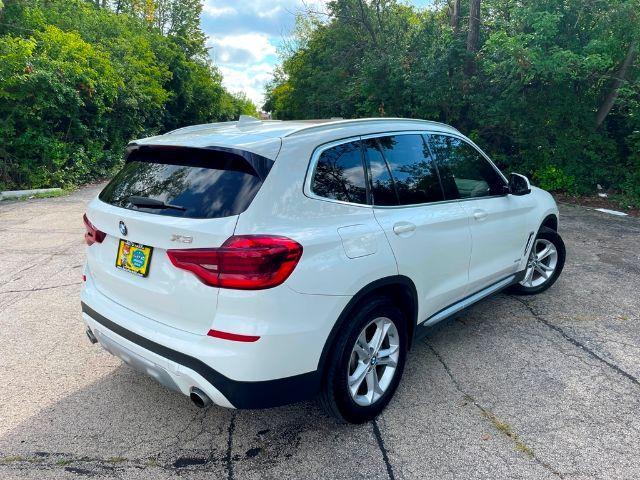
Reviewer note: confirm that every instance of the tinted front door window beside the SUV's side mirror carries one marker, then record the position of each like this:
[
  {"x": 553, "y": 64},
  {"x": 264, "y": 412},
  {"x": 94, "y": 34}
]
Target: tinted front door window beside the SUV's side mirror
[{"x": 464, "y": 172}]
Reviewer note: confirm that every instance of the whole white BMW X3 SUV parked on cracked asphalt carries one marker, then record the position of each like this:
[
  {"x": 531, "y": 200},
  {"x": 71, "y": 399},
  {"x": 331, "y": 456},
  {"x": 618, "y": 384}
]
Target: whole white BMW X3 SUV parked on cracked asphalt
[{"x": 256, "y": 263}]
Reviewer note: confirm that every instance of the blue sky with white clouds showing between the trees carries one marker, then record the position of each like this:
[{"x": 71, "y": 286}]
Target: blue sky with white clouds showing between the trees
[{"x": 244, "y": 37}]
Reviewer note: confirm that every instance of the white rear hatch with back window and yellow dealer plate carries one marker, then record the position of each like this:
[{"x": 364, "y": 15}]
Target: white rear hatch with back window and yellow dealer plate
[{"x": 169, "y": 198}]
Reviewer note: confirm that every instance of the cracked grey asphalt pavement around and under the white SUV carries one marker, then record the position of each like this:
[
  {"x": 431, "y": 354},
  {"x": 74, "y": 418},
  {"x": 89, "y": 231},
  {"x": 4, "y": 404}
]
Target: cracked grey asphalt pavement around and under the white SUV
[{"x": 517, "y": 387}]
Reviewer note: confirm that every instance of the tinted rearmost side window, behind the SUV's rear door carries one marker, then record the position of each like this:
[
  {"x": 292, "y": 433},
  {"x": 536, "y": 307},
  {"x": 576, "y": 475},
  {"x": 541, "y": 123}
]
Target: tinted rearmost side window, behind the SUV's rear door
[{"x": 339, "y": 174}]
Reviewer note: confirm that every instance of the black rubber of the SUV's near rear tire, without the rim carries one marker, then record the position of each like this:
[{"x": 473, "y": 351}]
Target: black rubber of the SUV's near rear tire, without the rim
[{"x": 334, "y": 396}]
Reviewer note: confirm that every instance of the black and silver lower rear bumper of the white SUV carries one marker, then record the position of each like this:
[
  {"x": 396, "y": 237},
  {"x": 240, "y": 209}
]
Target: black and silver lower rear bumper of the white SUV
[{"x": 180, "y": 371}]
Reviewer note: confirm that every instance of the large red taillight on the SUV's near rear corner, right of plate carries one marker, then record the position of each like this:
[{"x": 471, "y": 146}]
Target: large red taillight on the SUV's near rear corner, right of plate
[{"x": 243, "y": 262}]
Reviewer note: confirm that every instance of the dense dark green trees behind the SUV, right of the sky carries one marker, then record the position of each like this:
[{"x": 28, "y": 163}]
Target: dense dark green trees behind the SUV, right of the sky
[{"x": 527, "y": 86}]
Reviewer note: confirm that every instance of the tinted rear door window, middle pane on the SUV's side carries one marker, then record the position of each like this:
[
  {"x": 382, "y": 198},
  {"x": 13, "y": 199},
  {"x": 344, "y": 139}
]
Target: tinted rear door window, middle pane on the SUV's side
[{"x": 414, "y": 176}]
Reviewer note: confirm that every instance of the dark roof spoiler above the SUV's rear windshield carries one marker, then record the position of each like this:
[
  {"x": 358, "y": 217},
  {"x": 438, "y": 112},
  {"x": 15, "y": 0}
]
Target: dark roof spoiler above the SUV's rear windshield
[{"x": 223, "y": 158}]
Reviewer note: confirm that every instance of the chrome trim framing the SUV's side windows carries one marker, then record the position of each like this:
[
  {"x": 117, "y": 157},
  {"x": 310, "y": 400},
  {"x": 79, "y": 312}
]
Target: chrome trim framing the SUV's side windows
[{"x": 311, "y": 168}]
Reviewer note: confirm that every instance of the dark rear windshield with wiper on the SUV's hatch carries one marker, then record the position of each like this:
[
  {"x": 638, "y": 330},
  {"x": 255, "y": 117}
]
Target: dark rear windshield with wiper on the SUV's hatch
[{"x": 185, "y": 183}]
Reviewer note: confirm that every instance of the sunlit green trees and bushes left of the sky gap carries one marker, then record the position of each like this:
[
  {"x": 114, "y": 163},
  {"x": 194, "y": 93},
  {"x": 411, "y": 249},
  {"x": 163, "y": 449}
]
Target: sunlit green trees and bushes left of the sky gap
[{"x": 80, "y": 79}]
